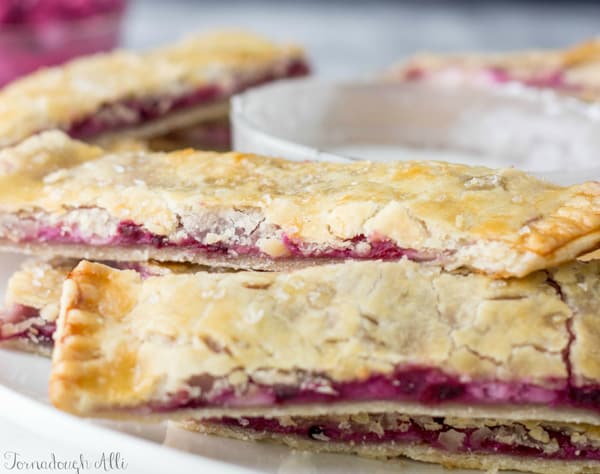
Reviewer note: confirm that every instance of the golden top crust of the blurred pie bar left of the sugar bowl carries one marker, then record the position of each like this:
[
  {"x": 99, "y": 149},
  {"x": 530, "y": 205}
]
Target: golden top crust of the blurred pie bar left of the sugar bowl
[{"x": 60, "y": 96}]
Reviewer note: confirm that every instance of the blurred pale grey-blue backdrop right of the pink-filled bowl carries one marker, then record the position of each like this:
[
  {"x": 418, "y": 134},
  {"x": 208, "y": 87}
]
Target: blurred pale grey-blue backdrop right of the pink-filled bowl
[{"x": 358, "y": 37}]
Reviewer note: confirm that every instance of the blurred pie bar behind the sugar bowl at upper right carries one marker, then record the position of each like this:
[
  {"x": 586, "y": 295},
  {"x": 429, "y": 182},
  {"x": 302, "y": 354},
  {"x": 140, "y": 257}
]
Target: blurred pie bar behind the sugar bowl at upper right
[{"x": 573, "y": 71}]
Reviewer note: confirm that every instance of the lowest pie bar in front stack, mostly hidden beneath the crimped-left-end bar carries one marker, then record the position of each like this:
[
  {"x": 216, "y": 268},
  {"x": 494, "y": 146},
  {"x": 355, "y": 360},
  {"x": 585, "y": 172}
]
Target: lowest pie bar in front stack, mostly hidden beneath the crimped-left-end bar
[{"x": 486, "y": 444}]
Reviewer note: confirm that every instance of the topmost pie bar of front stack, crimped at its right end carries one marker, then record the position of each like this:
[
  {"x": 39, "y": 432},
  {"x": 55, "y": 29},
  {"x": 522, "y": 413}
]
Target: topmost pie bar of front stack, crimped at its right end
[{"x": 249, "y": 211}]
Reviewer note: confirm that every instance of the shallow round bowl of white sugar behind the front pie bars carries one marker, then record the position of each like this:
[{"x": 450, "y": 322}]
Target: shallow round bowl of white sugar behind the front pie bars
[{"x": 555, "y": 137}]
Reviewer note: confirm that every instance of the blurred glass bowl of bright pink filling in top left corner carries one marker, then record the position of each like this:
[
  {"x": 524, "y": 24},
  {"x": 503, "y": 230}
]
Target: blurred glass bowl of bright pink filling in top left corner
[{"x": 29, "y": 43}]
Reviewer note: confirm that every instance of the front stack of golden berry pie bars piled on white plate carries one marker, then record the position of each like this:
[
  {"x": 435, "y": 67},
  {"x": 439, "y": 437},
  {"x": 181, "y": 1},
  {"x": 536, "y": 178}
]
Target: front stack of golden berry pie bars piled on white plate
[{"x": 419, "y": 309}]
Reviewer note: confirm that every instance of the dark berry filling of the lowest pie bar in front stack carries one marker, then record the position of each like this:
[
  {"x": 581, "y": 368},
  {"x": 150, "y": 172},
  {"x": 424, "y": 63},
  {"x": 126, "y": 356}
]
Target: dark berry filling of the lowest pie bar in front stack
[{"x": 512, "y": 439}]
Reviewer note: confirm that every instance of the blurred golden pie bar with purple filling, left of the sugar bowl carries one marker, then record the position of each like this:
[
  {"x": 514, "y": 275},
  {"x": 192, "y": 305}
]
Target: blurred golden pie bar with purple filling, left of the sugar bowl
[{"x": 144, "y": 94}]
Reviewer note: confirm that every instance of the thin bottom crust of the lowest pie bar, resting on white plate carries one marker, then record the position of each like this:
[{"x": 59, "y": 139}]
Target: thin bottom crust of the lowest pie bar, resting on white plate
[{"x": 398, "y": 451}]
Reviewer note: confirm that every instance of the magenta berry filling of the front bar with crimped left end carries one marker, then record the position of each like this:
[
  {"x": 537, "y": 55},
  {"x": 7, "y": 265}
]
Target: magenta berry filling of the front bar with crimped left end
[{"x": 428, "y": 386}]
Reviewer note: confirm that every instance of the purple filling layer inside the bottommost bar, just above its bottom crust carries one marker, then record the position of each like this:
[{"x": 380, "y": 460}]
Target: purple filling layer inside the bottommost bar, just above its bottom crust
[{"x": 470, "y": 440}]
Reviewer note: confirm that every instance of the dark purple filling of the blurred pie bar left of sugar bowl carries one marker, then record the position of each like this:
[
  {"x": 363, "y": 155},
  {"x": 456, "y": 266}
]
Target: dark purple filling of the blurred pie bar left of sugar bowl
[{"x": 133, "y": 112}]
